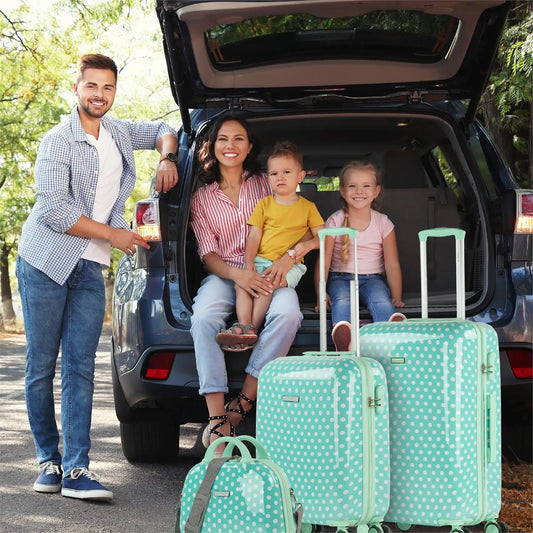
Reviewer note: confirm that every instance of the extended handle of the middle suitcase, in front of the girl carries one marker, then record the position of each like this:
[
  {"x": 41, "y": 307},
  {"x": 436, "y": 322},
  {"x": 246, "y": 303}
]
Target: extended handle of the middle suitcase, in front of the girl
[{"x": 354, "y": 287}]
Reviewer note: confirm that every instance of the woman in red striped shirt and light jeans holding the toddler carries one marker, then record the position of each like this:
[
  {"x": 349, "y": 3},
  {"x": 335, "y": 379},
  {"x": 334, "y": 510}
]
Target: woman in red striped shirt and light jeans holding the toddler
[{"x": 219, "y": 214}]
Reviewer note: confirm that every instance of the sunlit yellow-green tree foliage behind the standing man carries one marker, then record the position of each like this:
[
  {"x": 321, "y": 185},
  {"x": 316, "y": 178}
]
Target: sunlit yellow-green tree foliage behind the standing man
[{"x": 37, "y": 67}]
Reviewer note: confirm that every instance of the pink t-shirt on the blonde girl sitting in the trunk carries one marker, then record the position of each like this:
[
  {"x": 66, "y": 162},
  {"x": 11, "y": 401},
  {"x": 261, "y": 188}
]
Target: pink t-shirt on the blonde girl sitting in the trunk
[{"x": 369, "y": 244}]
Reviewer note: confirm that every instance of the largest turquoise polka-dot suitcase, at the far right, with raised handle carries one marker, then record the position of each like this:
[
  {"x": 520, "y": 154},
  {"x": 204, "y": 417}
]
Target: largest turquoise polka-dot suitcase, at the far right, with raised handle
[{"x": 444, "y": 395}]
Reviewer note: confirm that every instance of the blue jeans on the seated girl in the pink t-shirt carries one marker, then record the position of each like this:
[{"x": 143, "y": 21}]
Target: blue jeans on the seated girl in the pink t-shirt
[{"x": 374, "y": 293}]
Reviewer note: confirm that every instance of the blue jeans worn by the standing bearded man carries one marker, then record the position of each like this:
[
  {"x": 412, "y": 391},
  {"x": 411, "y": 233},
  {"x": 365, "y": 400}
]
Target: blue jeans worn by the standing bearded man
[{"x": 71, "y": 315}]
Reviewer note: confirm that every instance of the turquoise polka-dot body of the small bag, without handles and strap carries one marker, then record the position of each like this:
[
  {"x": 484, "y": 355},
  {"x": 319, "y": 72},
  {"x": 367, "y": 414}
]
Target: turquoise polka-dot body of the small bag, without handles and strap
[{"x": 246, "y": 497}]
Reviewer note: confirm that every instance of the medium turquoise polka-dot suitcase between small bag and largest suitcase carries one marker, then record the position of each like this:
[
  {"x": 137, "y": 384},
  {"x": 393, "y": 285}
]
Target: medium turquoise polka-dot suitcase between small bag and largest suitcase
[{"x": 323, "y": 417}]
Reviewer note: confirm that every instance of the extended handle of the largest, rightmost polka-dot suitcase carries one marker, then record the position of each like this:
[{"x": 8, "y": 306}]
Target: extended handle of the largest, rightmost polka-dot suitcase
[{"x": 459, "y": 235}]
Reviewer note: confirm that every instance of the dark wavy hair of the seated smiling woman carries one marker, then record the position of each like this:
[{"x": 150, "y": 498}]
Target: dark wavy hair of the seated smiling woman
[{"x": 209, "y": 170}]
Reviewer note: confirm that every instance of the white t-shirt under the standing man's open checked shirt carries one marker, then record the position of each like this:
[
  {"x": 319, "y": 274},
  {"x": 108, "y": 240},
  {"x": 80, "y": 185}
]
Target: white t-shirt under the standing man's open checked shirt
[{"x": 110, "y": 171}]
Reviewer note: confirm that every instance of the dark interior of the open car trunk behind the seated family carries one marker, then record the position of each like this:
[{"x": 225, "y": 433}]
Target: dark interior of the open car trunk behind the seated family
[{"x": 425, "y": 184}]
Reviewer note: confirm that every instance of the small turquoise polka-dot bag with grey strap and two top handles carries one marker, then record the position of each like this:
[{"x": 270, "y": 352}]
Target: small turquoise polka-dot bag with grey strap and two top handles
[{"x": 238, "y": 493}]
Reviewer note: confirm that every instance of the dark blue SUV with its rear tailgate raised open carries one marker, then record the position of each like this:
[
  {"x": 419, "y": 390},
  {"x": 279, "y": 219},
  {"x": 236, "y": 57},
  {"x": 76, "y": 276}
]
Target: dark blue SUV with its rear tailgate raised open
[{"x": 396, "y": 83}]
